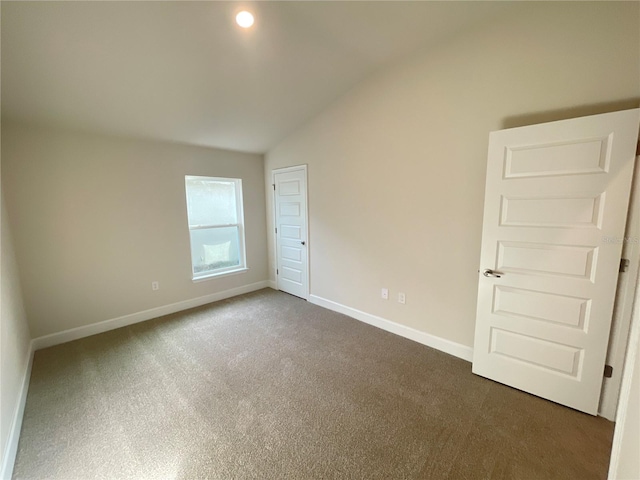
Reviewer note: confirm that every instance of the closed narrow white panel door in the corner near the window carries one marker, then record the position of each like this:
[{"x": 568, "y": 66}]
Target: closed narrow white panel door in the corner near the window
[{"x": 290, "y": 207}]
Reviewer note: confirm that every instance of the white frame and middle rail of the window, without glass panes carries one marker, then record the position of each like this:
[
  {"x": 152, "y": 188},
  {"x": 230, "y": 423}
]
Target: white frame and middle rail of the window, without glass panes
[{"x": 234, "y": 269}]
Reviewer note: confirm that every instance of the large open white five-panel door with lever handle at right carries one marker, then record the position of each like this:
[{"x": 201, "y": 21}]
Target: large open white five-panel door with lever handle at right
[{"x": 555, "y": 209}]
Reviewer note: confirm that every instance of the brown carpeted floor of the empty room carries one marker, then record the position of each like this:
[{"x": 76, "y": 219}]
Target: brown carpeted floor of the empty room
[{"x": 268, "y": 386}]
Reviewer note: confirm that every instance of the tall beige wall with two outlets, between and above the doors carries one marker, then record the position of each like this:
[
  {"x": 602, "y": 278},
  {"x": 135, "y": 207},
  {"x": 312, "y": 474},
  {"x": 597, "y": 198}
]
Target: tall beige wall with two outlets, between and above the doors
[{"x": 397, "y": 166}]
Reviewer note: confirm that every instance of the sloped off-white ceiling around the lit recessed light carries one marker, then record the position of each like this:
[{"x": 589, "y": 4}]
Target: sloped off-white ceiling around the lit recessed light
[{"x": 184, "y": 72}]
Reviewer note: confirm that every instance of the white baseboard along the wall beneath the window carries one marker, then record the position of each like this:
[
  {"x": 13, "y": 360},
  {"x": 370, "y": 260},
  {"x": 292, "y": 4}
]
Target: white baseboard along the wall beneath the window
[{"x": 106, "y": 325}]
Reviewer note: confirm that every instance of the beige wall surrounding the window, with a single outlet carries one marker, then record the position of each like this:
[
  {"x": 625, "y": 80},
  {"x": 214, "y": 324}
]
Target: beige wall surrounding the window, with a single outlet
[{"x": 96, "y": 219}]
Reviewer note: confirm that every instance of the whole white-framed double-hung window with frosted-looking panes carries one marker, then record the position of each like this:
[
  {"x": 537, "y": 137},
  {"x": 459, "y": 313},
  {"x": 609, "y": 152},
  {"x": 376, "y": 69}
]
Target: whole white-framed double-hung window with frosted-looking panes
[{"x": 216, "y": 225}]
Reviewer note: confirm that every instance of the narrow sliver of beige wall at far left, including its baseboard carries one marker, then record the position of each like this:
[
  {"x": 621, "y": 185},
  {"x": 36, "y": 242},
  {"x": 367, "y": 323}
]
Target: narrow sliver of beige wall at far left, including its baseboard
[{"x": 14, "y": 347}]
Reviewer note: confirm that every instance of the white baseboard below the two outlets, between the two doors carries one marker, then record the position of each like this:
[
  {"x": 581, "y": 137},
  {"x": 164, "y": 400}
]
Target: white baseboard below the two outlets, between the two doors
[{"x": 447, "y": 346}]
